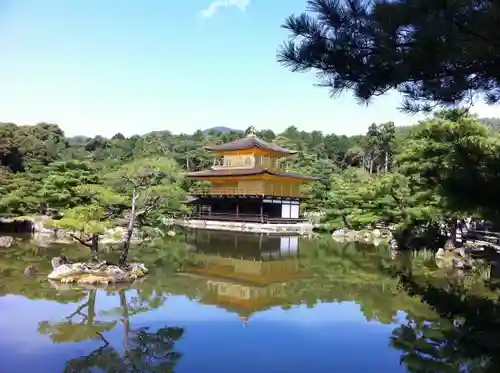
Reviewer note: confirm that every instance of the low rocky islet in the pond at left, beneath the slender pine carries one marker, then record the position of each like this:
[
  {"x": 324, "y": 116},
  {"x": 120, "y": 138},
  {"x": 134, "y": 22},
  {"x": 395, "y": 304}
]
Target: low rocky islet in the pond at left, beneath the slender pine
[{"x": 97, "y": 273}]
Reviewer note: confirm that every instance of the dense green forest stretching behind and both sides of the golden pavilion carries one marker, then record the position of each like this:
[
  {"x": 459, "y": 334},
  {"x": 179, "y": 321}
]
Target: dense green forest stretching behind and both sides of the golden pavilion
[{"x": 417, "y": 176}]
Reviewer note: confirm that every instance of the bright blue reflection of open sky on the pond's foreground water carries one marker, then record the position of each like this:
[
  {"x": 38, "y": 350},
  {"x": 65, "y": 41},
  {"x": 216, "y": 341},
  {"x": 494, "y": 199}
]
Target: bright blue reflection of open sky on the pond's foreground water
[{"x": 329, "y": 337}]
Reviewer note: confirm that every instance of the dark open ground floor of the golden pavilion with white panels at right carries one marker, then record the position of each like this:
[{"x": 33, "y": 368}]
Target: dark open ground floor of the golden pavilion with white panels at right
[{"x": 250, "y": 209}]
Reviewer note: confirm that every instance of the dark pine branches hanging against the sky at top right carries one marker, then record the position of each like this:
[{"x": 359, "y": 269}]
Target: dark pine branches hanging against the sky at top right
[{"x": 428, "y": 50}]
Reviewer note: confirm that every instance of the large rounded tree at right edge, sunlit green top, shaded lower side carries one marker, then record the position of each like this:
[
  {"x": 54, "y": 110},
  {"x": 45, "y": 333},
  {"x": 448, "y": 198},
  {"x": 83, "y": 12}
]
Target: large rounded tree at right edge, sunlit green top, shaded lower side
[{"x": 458, "y": 158}]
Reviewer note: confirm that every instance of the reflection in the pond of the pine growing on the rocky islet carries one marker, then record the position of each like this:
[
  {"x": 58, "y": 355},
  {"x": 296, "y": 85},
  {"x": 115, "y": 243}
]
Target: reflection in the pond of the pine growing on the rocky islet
[{"x": 143, "y": 350}]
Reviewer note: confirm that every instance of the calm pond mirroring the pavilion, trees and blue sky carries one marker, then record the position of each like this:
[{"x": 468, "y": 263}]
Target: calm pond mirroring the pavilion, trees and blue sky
[{"x": 234, "y": 303}]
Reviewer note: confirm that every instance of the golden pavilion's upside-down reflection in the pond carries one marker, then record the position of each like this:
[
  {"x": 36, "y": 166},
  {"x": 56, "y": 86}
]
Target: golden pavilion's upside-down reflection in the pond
[{"x": 245, "y": 273}]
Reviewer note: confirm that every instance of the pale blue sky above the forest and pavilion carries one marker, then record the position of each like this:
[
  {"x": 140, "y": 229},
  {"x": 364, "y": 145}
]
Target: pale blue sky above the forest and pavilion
[{"x": 133, "y": 66}]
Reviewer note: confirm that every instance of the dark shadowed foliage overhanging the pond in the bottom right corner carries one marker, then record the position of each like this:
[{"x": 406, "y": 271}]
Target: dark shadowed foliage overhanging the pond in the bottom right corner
[{"x": 462, "y": 337}]
